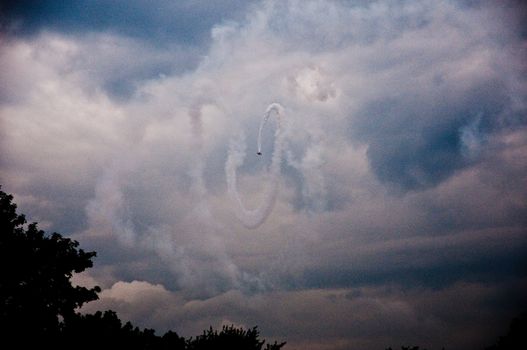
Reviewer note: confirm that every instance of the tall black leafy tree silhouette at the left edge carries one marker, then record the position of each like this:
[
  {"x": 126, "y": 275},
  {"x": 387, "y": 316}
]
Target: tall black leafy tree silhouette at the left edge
[{"x": 36, "y": 293}]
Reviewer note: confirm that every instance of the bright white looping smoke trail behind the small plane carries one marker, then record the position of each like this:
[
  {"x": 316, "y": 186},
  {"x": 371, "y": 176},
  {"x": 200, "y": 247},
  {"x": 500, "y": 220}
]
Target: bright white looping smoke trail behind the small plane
[{"x": 255, "y": 217}]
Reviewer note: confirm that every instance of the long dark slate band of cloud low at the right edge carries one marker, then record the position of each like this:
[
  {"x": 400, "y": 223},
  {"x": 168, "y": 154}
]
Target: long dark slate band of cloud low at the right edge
[{"x": 435, "y": 268}]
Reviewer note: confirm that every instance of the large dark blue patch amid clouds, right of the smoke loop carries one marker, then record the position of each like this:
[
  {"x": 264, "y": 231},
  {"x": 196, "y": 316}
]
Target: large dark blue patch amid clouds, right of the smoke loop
[{"x": 417, "y": 141}]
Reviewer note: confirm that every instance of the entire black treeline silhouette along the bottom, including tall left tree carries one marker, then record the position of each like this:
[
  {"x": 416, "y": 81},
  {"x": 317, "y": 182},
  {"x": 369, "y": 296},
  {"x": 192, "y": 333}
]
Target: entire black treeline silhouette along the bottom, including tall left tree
[{"x": 38, "y": 303}]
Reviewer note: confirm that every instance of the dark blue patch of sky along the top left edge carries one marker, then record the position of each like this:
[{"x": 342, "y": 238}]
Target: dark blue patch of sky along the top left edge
[{"x": 163, "y": 22}]
